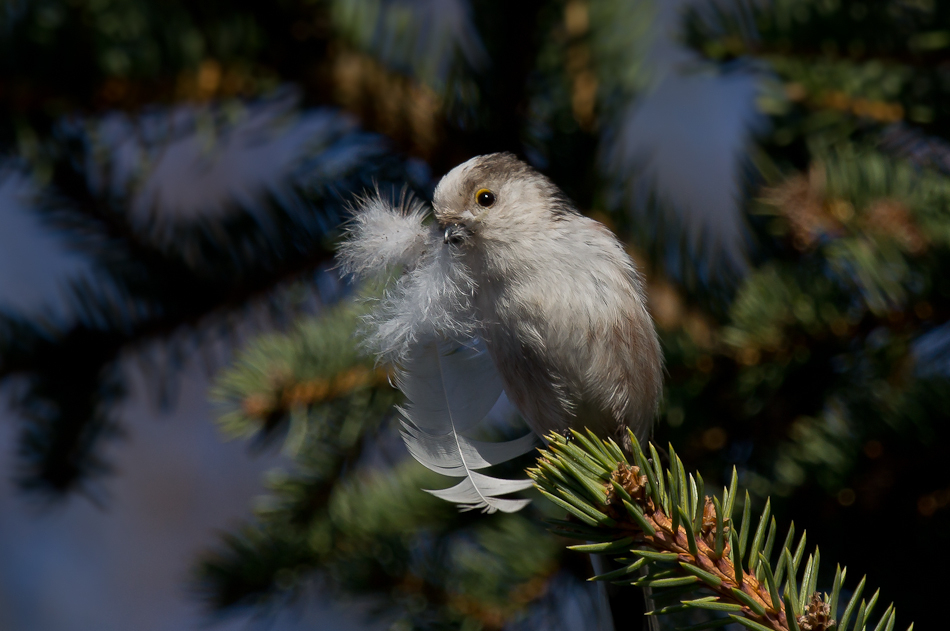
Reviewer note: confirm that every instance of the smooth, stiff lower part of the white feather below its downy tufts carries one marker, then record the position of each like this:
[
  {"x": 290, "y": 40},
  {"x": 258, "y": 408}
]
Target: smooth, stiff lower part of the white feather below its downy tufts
[{"x": 449, "y": 388}]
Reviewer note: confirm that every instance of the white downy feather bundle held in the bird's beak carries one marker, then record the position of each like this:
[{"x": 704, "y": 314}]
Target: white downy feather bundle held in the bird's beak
[{"x": 449, "y": 385}]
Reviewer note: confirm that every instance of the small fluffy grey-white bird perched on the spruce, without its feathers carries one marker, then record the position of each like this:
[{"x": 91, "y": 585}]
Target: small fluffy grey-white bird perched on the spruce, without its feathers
[{"x": 561, "y": 305}]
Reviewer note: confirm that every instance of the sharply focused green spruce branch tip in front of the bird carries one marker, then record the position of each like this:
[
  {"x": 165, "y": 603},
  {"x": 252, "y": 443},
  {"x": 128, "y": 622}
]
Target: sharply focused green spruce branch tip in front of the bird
[{"x": 680, "y": 542}]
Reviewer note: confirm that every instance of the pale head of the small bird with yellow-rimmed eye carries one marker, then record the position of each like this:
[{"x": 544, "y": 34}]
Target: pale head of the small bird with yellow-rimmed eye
[{"x": 496, "y": 192}]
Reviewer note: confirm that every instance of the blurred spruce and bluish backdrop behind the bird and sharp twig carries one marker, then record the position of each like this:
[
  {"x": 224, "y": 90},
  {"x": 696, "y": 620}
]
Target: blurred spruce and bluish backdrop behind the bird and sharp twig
[{"x": 190, "y": 438}]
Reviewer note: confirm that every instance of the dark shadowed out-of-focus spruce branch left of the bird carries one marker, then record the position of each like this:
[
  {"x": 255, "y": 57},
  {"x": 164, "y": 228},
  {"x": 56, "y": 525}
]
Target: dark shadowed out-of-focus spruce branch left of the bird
[{"x": 177, "y": 284}]
